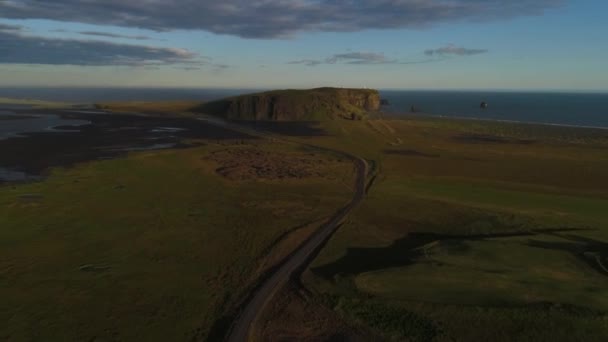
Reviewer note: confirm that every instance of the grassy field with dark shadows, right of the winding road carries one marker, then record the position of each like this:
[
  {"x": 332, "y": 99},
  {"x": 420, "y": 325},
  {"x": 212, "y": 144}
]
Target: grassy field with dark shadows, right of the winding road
[{"x": 473, "y": 231}]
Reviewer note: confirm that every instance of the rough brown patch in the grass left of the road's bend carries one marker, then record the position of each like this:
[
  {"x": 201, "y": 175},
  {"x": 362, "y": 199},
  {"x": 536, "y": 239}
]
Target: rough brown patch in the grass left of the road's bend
[{"x": 251, "y": 163}]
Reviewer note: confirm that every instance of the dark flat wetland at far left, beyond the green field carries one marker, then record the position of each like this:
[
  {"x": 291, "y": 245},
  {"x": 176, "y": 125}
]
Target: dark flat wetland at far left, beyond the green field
[{"x": 107, "y": 136}]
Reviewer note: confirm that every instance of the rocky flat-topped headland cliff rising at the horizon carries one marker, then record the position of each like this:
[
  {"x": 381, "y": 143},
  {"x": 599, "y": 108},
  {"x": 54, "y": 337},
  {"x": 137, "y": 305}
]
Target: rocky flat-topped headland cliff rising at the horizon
[{"x": 290, "y": 105}]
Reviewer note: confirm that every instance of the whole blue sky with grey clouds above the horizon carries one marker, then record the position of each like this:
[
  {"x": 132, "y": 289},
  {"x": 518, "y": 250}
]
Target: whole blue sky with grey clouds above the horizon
[{"x": 386, "y": 44}]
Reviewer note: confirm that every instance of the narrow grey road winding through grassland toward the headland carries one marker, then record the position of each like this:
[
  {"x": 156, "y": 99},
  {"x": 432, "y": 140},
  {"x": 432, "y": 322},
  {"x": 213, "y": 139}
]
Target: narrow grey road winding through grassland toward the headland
[{"x": 302, "y": 256}]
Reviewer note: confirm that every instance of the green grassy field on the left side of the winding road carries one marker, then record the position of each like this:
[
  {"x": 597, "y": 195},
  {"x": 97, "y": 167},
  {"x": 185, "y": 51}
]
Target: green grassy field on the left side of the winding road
[{"x": 153, "y": 246}]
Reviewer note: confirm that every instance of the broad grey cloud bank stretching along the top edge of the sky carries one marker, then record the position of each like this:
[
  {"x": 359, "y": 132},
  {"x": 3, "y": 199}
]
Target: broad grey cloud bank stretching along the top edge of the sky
[{"x": 272, "y": 18}]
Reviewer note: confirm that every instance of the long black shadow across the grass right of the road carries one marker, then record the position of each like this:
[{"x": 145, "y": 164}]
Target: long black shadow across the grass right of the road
[{"x": 406, "y": 251}]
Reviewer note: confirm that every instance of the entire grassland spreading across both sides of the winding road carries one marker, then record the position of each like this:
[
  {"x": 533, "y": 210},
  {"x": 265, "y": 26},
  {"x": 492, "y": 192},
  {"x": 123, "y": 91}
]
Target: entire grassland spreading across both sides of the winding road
[{"x": 471, "y": 231}]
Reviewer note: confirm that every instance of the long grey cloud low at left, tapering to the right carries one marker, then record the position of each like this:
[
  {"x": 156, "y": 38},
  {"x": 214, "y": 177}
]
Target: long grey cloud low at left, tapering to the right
[{"x": 19, "y": 49}]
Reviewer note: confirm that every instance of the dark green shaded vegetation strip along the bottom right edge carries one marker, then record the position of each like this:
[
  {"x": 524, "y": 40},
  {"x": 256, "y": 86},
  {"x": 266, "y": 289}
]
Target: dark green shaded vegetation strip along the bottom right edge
[{"x": 543, "y": 321}]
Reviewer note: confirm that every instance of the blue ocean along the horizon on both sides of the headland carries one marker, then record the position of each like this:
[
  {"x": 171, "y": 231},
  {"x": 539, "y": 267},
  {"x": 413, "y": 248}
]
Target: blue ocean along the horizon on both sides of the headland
[{"x": 577, "y": 109}]
